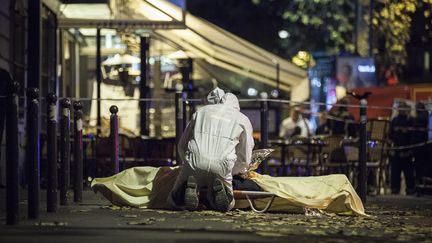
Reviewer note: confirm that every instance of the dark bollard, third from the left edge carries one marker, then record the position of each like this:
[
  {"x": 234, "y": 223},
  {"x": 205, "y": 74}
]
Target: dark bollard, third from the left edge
[{"x": 52, "y": 156}]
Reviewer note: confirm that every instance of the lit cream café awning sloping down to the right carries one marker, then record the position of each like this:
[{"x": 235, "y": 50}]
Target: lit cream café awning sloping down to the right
[{"x": 203, "y": 40}]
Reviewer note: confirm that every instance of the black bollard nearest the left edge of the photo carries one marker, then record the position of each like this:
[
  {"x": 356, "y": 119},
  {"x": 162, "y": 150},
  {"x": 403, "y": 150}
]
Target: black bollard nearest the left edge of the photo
[{"x": 12, "y": 179}]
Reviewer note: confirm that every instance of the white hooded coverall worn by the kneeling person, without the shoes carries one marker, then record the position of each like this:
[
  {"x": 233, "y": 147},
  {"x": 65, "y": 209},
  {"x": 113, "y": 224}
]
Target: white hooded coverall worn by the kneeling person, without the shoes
[{"x": 217, "y": 142}]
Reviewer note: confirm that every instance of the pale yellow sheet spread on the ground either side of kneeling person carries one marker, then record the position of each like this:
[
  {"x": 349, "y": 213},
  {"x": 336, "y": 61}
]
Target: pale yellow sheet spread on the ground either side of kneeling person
[{"x": 149, "y": 186}]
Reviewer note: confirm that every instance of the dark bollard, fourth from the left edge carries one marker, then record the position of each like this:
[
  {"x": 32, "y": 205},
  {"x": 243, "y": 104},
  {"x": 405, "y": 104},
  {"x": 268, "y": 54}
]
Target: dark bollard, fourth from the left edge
[{"x": 64, "y": 150}]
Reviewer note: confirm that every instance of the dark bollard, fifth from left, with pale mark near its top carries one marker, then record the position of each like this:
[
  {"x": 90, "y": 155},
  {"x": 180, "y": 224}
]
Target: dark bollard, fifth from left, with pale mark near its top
[{"x": 78, "y": 151}]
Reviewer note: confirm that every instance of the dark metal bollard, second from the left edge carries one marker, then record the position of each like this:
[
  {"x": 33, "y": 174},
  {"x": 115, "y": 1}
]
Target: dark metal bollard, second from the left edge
[{"x": 33, "y": 156}]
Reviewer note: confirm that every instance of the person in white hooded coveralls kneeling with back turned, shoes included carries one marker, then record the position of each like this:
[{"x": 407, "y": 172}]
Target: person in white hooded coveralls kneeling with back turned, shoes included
[{"x": 216, "y": 144}]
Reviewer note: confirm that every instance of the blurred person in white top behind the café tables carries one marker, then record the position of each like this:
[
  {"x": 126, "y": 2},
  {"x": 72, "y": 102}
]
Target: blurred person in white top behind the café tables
[{"x": 295, "y": 125}]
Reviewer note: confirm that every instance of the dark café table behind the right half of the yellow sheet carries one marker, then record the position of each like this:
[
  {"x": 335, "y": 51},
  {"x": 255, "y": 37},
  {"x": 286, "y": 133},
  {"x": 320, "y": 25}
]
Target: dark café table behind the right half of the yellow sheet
[{"x": 313, "y": 144}]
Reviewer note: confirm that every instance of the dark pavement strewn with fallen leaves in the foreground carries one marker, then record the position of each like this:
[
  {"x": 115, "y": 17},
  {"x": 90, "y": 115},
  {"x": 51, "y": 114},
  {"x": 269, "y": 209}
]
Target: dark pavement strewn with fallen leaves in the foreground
[{"x": 394, "y": 218}]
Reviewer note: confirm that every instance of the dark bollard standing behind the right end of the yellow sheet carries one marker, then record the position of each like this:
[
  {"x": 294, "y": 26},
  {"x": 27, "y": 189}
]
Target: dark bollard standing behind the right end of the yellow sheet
[{"x": 362, "y": 151}]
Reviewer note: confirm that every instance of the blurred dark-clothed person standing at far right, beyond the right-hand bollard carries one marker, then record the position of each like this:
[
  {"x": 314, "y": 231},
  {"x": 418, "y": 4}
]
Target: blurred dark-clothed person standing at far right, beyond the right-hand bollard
[{"x": 401, "y": 159}]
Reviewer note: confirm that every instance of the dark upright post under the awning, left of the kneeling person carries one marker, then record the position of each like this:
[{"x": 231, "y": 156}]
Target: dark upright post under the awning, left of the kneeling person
[{"x": 144, "y": 90}]
